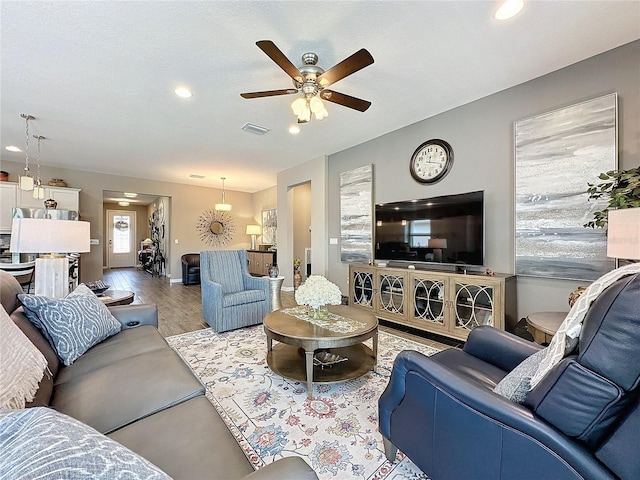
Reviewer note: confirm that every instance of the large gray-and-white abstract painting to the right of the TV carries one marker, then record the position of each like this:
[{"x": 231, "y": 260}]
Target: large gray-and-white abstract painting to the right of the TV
[{"x": 557, "y": 154}]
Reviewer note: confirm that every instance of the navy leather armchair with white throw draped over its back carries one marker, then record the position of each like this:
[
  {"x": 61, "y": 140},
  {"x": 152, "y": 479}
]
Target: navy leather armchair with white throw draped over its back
[{"x": 582, "y": 421}]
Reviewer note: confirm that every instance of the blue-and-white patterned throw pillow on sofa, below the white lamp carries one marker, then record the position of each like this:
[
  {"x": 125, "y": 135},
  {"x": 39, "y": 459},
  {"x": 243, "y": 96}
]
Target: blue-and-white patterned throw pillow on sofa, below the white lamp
[{"x": 72, "y": 325}]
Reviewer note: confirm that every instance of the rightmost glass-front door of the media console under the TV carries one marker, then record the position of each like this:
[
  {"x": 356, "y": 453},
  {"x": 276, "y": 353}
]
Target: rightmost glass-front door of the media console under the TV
[{"x": 475, "y": 304}]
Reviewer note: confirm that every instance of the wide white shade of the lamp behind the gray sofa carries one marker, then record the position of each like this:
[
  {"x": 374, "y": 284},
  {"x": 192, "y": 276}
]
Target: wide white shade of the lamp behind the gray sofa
[{"x": 40, "y": 235}]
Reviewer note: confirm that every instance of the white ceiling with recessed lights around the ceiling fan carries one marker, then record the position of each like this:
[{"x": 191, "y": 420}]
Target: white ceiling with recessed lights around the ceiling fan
[{"x": 99, "y": 76}]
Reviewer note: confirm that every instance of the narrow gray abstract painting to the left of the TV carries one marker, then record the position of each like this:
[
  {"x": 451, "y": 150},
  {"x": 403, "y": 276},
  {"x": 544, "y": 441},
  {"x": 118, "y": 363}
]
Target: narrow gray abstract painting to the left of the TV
[{"x": 356, "y": 215}]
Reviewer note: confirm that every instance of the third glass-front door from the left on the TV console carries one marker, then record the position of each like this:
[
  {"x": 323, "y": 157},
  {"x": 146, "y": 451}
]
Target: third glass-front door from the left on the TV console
[{"x": 429, "y": 302}]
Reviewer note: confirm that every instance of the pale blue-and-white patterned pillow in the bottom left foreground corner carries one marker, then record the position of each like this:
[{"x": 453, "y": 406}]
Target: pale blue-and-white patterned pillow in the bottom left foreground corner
[{"x": 42, "y": 443}]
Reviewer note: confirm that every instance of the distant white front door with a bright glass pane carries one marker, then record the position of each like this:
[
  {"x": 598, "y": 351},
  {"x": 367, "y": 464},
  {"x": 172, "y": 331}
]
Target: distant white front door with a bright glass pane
[{"x": 121, "y": 228}]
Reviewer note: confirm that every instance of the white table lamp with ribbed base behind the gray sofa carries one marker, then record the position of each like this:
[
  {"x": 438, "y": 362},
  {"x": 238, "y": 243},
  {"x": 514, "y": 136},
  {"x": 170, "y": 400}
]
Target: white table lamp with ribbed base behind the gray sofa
[{"x": 52, "y": 240}]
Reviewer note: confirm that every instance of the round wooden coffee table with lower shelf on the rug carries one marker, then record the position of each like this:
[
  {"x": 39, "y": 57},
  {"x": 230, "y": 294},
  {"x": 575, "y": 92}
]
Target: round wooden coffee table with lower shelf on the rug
[{"x": 299, "y": 339}]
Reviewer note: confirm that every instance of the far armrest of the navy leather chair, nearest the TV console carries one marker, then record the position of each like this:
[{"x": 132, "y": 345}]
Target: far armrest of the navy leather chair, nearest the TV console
[{"x": 499, "y": 348}]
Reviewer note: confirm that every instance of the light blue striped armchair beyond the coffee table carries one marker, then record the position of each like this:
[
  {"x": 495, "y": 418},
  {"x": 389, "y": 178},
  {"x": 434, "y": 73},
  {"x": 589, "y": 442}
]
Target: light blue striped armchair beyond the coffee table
[{"x": 231, "y": 298}]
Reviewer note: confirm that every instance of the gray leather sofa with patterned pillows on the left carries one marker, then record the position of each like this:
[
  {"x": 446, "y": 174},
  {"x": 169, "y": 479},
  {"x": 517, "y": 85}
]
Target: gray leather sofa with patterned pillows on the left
[{"x": 133, "y": 388}]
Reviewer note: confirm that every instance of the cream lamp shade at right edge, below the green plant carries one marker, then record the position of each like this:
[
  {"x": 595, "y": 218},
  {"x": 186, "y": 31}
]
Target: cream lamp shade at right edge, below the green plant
[{"x": 623, "y": 234}]
